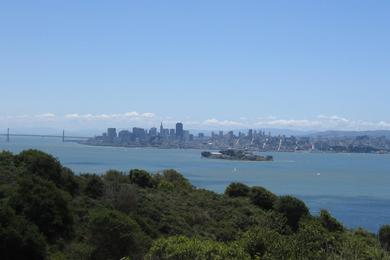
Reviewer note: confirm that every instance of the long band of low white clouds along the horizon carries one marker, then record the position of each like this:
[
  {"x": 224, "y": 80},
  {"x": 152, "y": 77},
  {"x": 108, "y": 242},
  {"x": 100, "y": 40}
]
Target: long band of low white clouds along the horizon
[{"x": 149, "y": 119}]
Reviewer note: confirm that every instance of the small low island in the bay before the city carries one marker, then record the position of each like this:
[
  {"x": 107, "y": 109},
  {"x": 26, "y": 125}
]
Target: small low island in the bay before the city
[{"x": 238, "y": 155}]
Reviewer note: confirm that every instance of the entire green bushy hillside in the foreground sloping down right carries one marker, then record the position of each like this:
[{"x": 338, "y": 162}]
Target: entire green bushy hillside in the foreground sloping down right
[{"x": 48, "y": 212}]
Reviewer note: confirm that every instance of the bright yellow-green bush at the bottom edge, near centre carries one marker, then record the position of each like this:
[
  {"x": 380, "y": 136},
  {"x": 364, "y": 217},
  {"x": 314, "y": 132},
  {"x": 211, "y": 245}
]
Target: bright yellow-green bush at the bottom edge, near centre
[{"x": 180, "y": 247}]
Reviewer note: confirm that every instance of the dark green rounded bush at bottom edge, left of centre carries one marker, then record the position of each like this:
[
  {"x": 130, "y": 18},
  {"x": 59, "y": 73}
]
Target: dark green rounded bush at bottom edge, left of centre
[{"x": 115, "y": 235}]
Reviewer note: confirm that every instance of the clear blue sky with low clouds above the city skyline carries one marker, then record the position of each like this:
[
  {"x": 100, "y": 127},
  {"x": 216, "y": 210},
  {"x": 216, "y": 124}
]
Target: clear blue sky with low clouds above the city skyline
[{"x": 211, "y": 64}]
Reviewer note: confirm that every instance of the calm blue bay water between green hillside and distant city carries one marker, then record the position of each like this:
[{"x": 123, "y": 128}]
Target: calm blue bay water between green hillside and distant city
[{"x": 353, "y": 187}]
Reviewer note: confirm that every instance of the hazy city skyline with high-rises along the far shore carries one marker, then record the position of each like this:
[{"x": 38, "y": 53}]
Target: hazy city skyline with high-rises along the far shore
[{"x": 249, "y": 140}]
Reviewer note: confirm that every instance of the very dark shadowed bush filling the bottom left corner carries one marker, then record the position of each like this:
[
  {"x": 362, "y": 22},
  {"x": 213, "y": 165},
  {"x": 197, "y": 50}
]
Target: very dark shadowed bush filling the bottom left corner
[{"x": 19, "y": 239}]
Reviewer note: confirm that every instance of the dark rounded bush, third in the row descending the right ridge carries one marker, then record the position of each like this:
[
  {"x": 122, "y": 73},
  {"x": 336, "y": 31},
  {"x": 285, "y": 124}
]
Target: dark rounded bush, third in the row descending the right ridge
[{"x": 293, "y": 208}]
